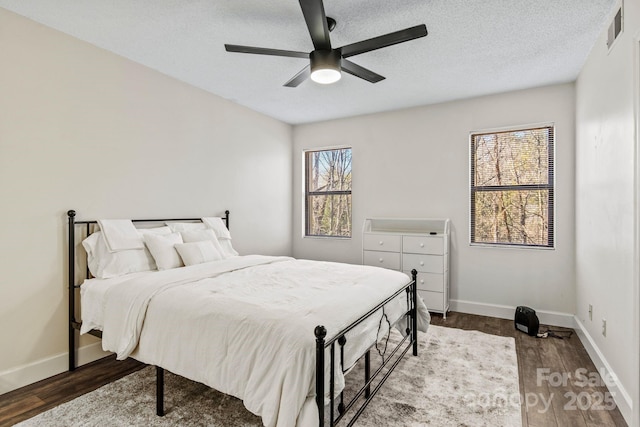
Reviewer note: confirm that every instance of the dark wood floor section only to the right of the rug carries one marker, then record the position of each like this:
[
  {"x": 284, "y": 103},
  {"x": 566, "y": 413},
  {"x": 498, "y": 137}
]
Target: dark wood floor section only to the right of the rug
[{"x": 543, "y": 364}]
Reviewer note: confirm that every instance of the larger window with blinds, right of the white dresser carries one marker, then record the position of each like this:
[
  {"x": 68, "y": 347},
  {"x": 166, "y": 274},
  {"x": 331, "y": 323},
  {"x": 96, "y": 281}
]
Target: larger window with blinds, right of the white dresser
[{"x": 512, "y": 187}]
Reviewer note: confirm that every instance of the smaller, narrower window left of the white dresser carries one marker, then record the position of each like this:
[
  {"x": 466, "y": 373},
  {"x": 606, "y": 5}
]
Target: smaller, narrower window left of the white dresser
[{"x": 328, "y": 193}]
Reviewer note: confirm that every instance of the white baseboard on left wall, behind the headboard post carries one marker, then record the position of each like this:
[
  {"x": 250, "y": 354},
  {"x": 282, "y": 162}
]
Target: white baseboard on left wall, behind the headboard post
[{"x": 36, "y": 371}]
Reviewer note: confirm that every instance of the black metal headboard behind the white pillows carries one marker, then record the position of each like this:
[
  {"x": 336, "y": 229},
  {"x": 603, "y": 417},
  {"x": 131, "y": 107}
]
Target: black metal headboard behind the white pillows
[{"x": 74, "y": 324}]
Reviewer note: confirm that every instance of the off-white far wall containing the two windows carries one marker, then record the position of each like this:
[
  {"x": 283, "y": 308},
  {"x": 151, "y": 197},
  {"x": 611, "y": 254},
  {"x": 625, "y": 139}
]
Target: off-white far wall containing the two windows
[{"x": 415, "y": 163}]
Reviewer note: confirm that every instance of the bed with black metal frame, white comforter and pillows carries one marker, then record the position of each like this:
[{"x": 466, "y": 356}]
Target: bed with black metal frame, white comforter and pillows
[{"x": 277, "y": 332}]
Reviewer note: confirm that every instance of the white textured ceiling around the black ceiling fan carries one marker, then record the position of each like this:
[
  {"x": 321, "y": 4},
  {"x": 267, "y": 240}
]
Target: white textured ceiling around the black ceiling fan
[{"x": 474, "y": 47}]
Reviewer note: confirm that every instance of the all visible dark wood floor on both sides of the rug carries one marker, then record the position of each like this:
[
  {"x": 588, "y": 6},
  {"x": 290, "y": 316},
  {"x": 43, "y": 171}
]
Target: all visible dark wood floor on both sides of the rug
[{"x": 547, "y": 400}]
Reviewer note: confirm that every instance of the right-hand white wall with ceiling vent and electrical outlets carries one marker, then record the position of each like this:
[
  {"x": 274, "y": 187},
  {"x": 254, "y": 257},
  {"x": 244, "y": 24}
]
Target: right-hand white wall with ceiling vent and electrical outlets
[{"x": 606, "y": 202}]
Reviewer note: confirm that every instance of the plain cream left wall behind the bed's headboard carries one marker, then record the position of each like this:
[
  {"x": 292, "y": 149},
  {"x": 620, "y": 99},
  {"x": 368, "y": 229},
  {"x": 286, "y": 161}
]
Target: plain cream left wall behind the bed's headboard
[{"x": 81, "y": 128}]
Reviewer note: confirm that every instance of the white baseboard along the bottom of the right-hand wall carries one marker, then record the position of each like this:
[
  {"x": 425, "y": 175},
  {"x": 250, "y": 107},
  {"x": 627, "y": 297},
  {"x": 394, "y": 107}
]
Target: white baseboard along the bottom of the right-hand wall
[{"x": 621, "y": 396}]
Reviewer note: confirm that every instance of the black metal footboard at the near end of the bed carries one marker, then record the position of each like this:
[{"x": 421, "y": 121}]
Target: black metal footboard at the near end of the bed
[{"x": 410, "y": 340}]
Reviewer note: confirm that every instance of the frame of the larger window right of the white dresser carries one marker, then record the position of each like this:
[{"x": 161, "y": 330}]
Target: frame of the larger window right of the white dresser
[{"x": 550, "y": 186}]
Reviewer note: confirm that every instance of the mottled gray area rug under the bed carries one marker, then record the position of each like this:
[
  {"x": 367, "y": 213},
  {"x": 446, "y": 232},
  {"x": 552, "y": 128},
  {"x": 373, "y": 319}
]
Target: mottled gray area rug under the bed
[{"x": 460, "y": 378}]
